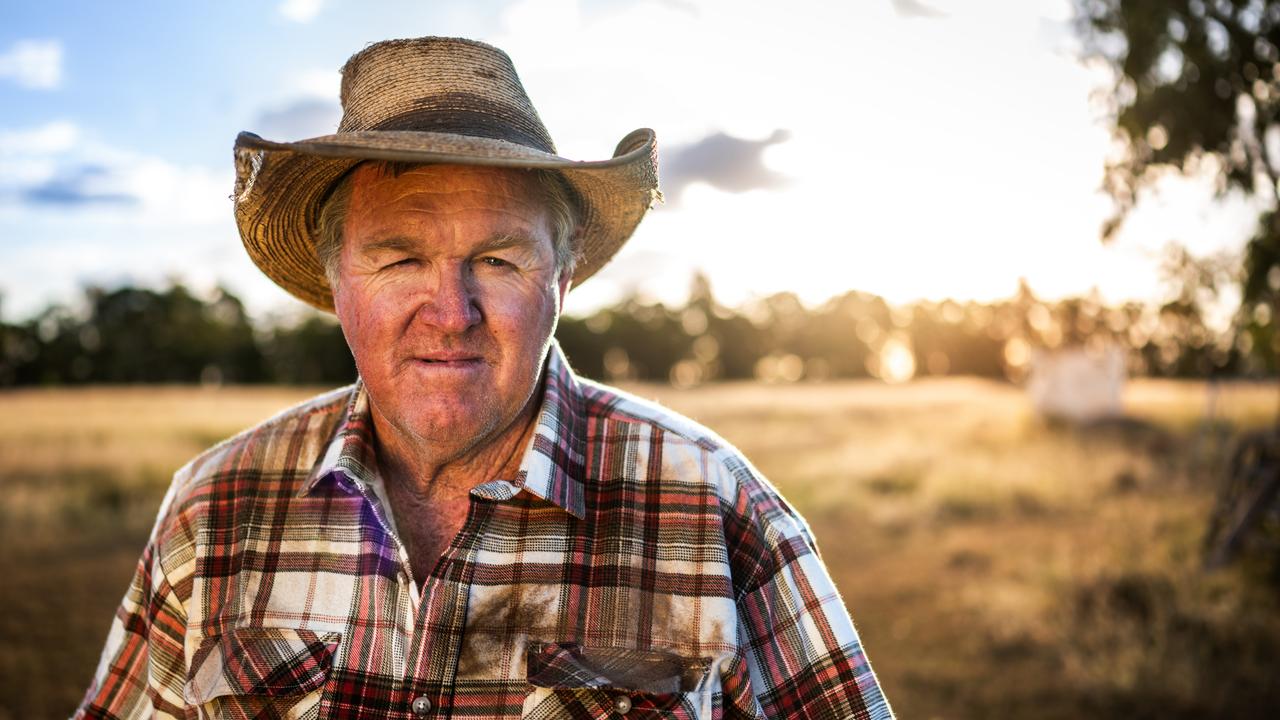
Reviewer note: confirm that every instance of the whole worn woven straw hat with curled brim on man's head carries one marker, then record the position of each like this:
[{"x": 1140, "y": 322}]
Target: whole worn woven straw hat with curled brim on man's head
[{"x": 427, "y": 101}]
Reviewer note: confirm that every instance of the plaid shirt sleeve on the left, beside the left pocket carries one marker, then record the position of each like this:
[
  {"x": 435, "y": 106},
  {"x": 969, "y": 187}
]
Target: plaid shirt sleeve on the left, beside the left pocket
[{"x": 143, "y": 668}]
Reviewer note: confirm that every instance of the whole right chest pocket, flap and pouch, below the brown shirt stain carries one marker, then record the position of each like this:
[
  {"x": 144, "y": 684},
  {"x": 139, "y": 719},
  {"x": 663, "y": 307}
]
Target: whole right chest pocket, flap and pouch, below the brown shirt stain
[{"x": 573, "y": 681}]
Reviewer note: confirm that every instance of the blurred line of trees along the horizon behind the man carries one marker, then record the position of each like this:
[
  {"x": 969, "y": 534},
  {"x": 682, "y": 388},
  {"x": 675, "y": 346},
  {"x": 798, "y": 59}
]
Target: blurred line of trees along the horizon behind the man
[{"x": 134, "y": 335}]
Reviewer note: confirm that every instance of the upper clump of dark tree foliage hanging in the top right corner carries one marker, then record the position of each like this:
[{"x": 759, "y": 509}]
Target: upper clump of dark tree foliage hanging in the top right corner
[{"x": 1194, "y": 80}]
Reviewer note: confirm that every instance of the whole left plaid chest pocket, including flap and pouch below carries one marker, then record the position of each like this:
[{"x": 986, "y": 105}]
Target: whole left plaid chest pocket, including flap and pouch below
[{"x": 260, "y": 672}]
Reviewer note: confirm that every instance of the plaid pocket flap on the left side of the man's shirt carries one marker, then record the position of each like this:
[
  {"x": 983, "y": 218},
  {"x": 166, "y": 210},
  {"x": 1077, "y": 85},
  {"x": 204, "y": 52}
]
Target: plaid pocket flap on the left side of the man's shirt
[{"x": 267, "y": 662}]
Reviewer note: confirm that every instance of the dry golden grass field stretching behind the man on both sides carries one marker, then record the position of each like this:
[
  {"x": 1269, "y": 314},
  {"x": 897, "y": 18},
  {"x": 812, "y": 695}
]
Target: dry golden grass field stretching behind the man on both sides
[{"x": 996, "y": 566}]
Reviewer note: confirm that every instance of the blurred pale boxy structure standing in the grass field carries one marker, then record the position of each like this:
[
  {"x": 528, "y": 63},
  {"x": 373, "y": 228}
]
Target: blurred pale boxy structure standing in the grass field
[{"x": 1076, "y": 384}]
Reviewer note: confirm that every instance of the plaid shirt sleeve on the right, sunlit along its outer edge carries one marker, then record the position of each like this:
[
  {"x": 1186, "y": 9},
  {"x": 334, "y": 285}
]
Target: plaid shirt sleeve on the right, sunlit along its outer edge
[{"x": 801, "y": 657}]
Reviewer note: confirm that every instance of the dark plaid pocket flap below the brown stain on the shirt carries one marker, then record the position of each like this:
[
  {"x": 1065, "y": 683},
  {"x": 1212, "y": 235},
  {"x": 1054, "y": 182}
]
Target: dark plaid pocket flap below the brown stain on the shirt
[{"x": 570, "y": 666}]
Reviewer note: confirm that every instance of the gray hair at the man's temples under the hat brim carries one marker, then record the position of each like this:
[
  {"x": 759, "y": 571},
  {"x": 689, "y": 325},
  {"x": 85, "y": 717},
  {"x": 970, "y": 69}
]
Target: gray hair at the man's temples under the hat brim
[{"x": 557, "y": 198}]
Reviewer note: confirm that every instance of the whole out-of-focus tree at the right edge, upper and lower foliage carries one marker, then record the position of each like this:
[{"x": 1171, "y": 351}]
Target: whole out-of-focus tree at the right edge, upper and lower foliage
[{"x": 1197, "y": 89}]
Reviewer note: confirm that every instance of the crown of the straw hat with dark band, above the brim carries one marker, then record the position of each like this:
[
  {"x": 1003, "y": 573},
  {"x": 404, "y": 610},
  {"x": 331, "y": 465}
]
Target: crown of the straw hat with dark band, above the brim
[{"x": 440, "y": 85}]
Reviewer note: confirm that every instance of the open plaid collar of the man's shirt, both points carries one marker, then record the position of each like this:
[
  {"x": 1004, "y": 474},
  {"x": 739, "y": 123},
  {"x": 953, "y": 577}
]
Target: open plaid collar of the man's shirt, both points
[{"x": 552, "y": 467}]
